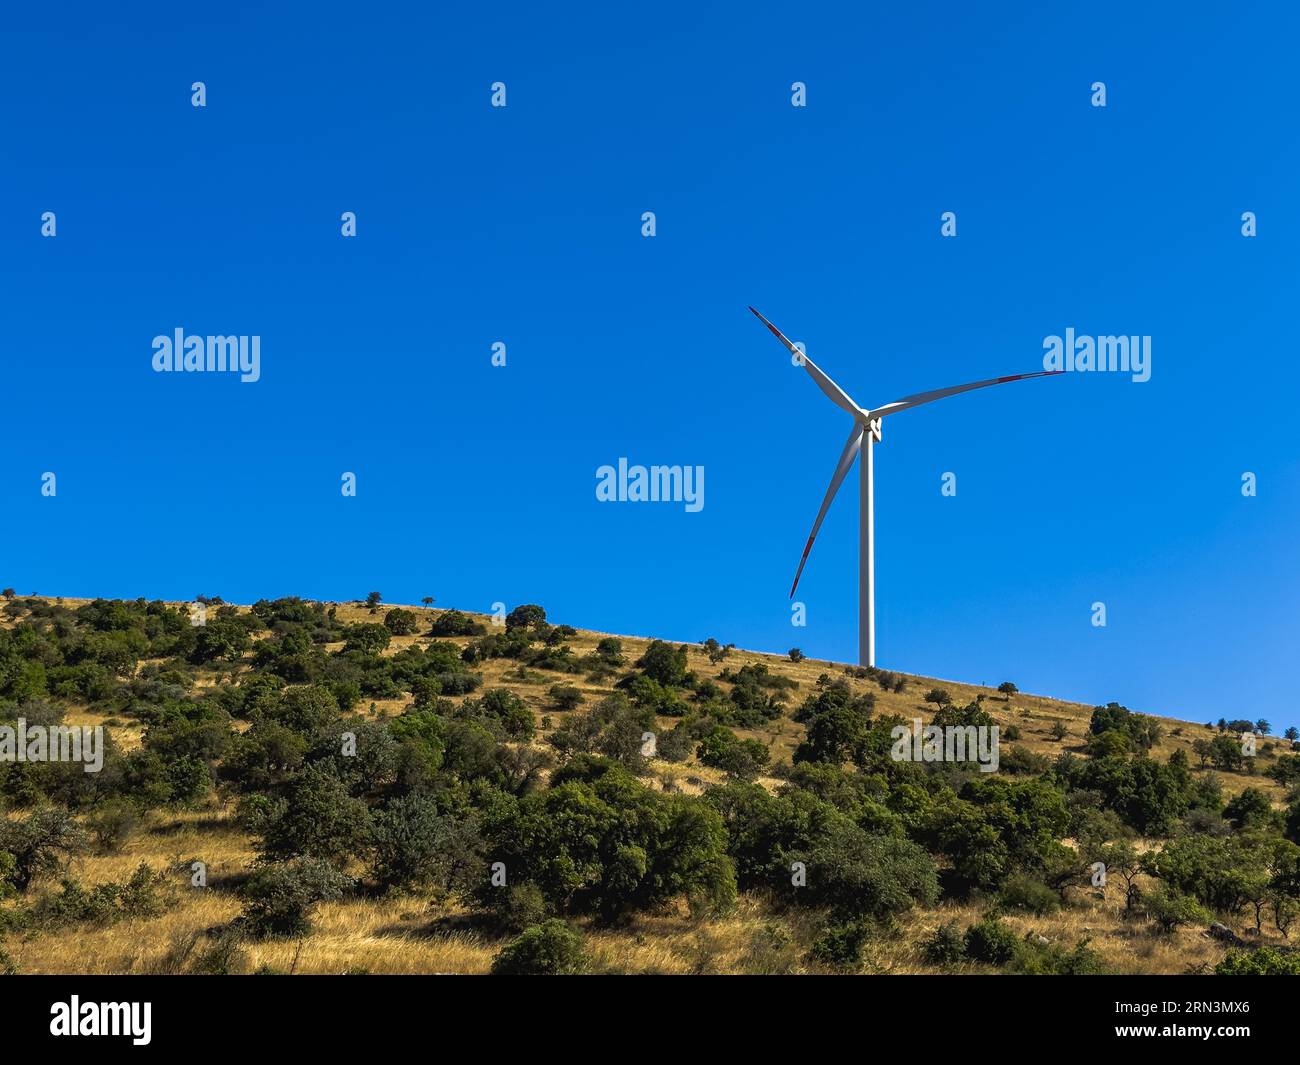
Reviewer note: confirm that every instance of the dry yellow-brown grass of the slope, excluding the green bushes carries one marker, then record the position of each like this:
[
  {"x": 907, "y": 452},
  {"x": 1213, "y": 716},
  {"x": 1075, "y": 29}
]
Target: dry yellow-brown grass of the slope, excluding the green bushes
[{"x": 413, "y": 934}]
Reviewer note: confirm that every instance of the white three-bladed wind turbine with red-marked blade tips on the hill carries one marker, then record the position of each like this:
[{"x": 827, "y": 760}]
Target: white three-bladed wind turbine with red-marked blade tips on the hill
[{"x": 866, "y": 427}]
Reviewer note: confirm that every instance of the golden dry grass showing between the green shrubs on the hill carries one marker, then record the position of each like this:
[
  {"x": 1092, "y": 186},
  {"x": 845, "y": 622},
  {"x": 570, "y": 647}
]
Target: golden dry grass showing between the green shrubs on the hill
[{"x": 430, "y": 932}]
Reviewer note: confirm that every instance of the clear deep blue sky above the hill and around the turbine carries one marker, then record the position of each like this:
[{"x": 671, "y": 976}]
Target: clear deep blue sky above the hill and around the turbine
[{"x": 523, "y": 226}]
